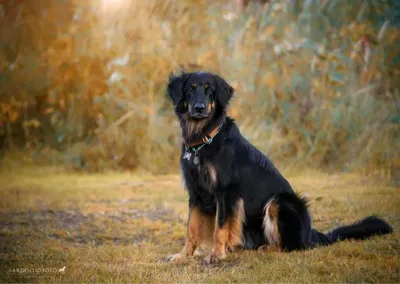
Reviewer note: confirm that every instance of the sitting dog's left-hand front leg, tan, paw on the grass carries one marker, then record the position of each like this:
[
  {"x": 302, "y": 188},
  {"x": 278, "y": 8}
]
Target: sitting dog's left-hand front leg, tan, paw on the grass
[{"x": 199, "y": 229}]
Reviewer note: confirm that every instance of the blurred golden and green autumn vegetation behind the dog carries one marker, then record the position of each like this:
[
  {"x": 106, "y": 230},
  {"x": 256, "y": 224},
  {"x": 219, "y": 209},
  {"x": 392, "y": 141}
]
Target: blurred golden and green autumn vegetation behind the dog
[{"x": 82, "y": 83}]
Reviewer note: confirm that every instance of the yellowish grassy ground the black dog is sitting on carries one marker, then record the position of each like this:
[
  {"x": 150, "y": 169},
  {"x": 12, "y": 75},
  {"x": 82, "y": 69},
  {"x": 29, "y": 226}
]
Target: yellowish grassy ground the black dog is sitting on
[{"x": 120, "y": 227}]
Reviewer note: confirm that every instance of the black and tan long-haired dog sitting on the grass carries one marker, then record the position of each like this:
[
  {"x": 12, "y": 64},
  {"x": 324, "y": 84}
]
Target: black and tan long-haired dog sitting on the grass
[{"x": 237, "y": 197}]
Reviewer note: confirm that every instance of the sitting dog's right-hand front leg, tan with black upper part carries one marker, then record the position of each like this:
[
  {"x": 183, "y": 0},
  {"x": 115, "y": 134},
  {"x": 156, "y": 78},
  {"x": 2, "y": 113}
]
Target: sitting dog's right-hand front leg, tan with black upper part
[{"x": 228, "y": 228}]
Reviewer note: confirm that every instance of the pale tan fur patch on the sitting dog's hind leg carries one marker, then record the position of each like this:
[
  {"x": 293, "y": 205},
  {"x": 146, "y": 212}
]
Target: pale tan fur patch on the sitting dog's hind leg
[{"x": 270, "y": 224}]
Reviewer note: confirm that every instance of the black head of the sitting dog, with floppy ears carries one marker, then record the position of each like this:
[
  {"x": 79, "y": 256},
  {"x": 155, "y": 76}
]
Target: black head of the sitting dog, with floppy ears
[{"x": 198, "y": 96}]
